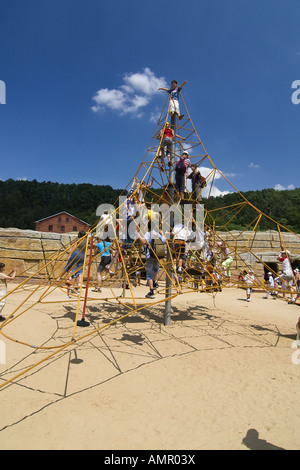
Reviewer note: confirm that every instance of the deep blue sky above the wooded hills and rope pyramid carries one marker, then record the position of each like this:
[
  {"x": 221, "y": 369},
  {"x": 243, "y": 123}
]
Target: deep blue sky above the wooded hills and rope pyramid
[{"x": 240, "y": 58}]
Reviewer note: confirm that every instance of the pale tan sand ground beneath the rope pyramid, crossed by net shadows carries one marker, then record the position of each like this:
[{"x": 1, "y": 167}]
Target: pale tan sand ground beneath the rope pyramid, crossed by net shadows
[{"x": 223, "y": 375}]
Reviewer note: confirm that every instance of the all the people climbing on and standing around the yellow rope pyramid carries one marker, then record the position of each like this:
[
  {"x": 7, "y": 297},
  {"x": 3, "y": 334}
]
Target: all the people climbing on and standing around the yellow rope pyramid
[{"x": 110, "y": 256}]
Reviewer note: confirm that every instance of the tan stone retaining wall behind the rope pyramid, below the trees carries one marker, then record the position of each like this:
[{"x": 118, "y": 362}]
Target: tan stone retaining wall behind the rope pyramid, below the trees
[{"x": 29, "y": 250}]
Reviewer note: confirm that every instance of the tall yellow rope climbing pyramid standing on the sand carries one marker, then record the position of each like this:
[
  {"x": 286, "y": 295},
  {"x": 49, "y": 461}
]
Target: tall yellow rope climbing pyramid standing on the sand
[{"x": 198, "y": 264}]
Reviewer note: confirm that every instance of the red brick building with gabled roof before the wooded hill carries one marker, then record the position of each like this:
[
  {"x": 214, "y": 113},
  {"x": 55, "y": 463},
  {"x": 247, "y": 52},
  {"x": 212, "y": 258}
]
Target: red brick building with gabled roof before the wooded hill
[{"x": 62, "y": 222}]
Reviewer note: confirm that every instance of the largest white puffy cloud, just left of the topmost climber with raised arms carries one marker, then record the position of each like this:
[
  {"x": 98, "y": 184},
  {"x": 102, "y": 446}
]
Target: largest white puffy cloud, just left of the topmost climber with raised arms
[{"x": 132, "y": 96}]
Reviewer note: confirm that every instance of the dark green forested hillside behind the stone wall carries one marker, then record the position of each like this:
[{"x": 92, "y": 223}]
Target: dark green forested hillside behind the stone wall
[{"x": 24, "y": 202}]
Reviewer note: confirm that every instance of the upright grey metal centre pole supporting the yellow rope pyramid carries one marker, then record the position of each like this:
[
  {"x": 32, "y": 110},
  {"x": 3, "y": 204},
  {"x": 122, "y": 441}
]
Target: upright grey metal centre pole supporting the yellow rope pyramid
[{"x": 168, "y": 306}]
